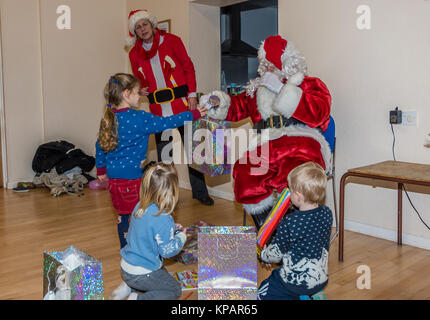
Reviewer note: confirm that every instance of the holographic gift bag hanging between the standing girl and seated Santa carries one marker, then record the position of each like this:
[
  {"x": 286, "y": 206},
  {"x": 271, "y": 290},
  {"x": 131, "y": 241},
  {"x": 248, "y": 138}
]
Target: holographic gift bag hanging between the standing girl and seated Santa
[{"x": 210, "y": 147}]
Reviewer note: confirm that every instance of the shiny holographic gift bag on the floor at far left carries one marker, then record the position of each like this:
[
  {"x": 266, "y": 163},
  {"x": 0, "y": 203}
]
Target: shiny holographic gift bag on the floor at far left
[{"x": 71, "y": 275}]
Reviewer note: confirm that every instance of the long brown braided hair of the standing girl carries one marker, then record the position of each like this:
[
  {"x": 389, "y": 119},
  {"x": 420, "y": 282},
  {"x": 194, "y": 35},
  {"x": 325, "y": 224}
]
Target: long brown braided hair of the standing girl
[{"x": 108, "y": 132}]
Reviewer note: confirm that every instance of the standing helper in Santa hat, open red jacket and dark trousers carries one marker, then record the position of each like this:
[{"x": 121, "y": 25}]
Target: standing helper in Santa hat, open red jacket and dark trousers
[{"x": 167, "y": 76}]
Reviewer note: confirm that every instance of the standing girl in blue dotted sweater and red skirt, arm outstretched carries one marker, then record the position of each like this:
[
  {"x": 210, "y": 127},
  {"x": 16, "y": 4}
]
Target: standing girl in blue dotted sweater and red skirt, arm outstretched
[{"x": 123, "y": 141}]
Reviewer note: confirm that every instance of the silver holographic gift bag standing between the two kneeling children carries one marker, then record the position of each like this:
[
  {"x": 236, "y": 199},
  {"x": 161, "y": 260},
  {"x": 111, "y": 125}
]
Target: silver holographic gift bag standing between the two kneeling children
[{"x": 227, "y": 264}]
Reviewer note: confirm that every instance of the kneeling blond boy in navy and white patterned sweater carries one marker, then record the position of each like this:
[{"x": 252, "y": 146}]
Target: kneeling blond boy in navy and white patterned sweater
[{"x": 302, "y": 240}]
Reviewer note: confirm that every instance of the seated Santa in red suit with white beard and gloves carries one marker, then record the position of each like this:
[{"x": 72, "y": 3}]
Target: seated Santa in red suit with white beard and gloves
[{"x": 294, "y": 107}]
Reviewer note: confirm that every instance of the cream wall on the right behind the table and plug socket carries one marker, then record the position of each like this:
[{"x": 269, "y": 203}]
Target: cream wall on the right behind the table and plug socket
[{"x": 368, "y": 73}]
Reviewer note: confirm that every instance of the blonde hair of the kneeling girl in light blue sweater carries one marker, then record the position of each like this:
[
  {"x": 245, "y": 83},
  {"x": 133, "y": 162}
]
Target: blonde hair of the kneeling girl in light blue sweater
[{"x": 160, "y": 185}]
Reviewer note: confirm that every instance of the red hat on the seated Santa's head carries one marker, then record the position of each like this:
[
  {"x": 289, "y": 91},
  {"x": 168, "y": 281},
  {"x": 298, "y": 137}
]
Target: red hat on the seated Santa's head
[{"x": 272, "y": 50}]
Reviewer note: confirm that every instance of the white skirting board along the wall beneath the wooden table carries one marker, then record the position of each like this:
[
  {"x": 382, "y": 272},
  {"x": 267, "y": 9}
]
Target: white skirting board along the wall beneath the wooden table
[{"x": 387, "y": 234}]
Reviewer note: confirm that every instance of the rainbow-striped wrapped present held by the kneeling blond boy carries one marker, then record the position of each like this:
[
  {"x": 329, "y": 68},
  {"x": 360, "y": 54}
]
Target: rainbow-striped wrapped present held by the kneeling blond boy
[{"x": 273, "y": 219}]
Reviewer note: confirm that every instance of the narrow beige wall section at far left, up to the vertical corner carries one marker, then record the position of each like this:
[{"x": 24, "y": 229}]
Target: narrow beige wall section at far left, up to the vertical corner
[{"x": 23, "y": 108}]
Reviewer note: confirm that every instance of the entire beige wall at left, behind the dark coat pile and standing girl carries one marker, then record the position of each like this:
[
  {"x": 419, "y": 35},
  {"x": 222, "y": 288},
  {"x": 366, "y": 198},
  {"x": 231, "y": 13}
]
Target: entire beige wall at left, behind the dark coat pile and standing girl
[{"x": 54, "y": 79}]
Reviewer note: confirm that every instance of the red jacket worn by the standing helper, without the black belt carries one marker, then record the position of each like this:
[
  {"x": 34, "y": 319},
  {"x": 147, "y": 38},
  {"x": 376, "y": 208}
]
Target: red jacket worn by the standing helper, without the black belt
[{"x": 170, "y": 49}]
